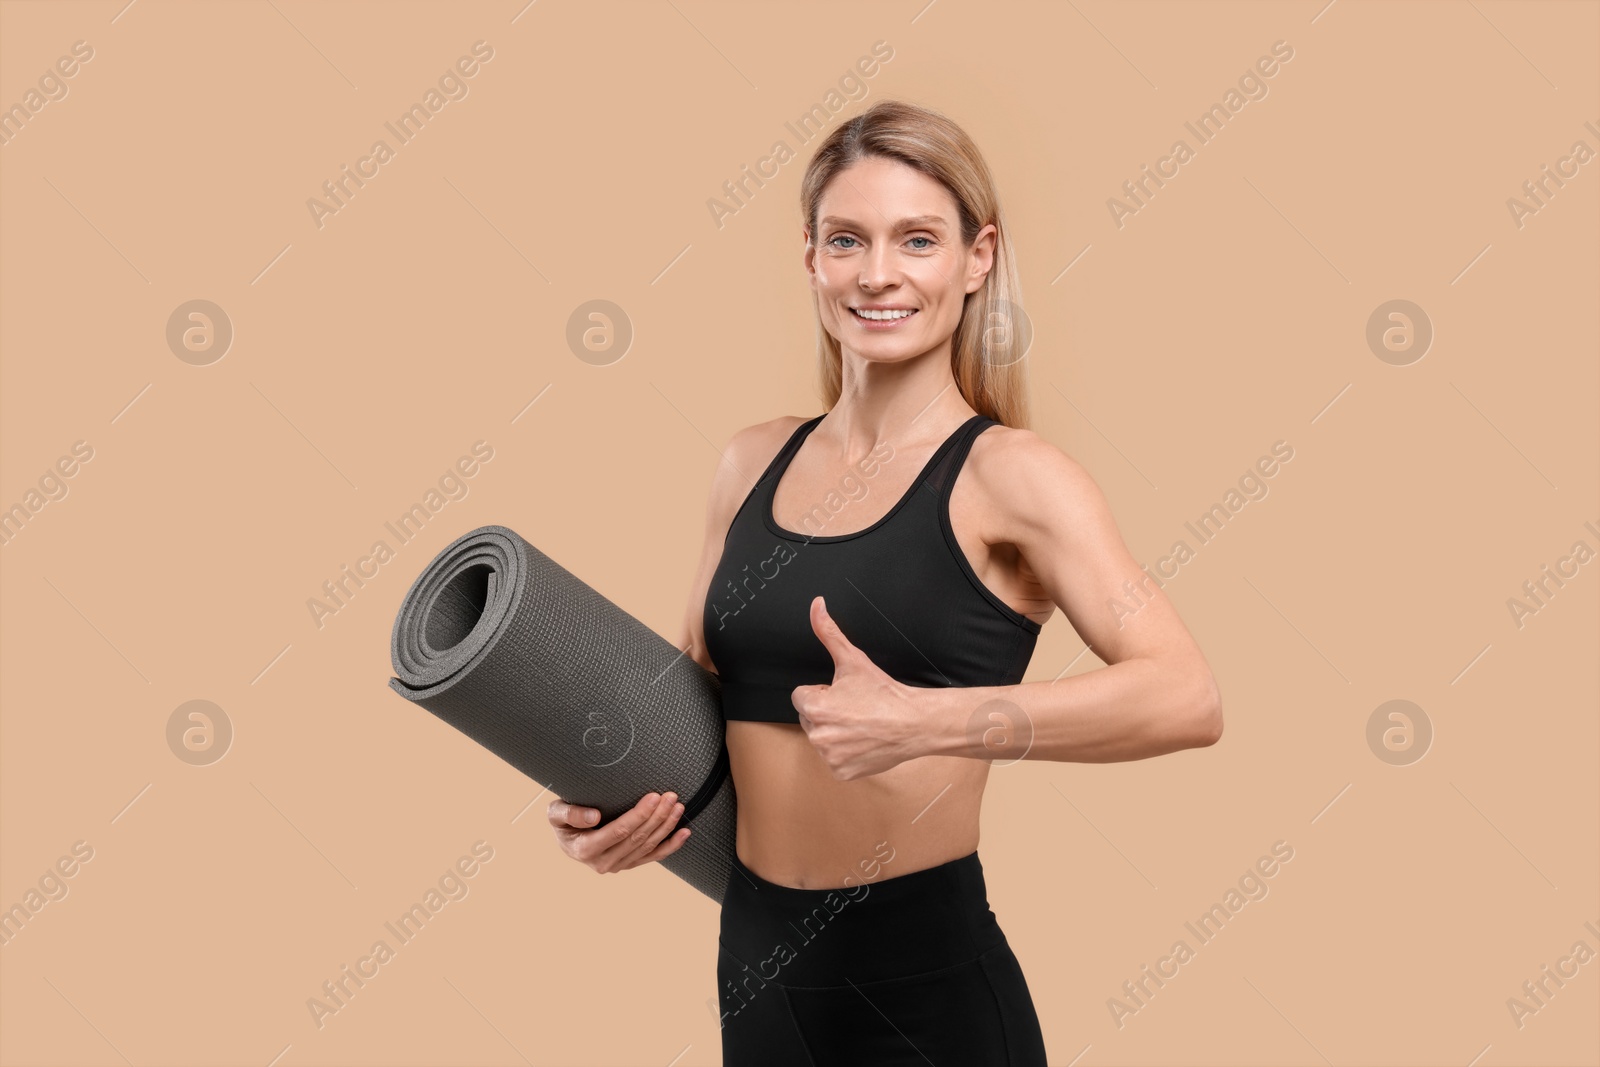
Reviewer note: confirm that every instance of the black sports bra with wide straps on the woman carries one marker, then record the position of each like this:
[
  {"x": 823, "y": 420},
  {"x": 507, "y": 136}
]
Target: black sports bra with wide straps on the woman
[{"x": 902, "y": 591}]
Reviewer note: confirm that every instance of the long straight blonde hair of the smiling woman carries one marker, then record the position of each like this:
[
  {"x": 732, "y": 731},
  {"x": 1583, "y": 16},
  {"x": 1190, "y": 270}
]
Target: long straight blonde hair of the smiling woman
[{"x": 986, "y": 356}]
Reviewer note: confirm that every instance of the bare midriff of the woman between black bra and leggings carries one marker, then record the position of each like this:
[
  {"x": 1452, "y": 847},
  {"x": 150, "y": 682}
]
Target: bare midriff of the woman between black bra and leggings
[{"x": 802, "y": 828}]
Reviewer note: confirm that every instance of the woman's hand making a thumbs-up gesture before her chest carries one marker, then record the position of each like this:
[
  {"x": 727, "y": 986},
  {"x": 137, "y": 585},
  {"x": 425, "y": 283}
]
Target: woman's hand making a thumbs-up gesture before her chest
[{"x": 865, "y": 722}]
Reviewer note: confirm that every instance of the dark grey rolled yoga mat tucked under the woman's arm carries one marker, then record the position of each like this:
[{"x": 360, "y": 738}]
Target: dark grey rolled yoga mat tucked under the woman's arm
[{"x": 522, "y": 657}]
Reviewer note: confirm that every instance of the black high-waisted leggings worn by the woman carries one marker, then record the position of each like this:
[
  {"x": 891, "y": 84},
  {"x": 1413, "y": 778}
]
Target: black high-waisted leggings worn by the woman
[{"x": 903, "y": 970}]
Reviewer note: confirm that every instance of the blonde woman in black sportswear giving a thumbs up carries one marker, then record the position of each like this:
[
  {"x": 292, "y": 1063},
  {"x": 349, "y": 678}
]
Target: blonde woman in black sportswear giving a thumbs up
[{"x": 871, "y": 607}]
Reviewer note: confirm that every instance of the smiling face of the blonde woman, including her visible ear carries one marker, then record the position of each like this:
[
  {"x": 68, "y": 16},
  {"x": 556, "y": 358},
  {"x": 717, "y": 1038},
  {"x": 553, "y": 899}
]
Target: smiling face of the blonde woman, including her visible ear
[{"x": 887, "y": 262}]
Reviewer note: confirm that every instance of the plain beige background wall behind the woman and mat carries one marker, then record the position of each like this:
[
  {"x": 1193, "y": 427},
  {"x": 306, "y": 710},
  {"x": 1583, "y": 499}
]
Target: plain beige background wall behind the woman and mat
[{"x": 428, "y": 314}]
